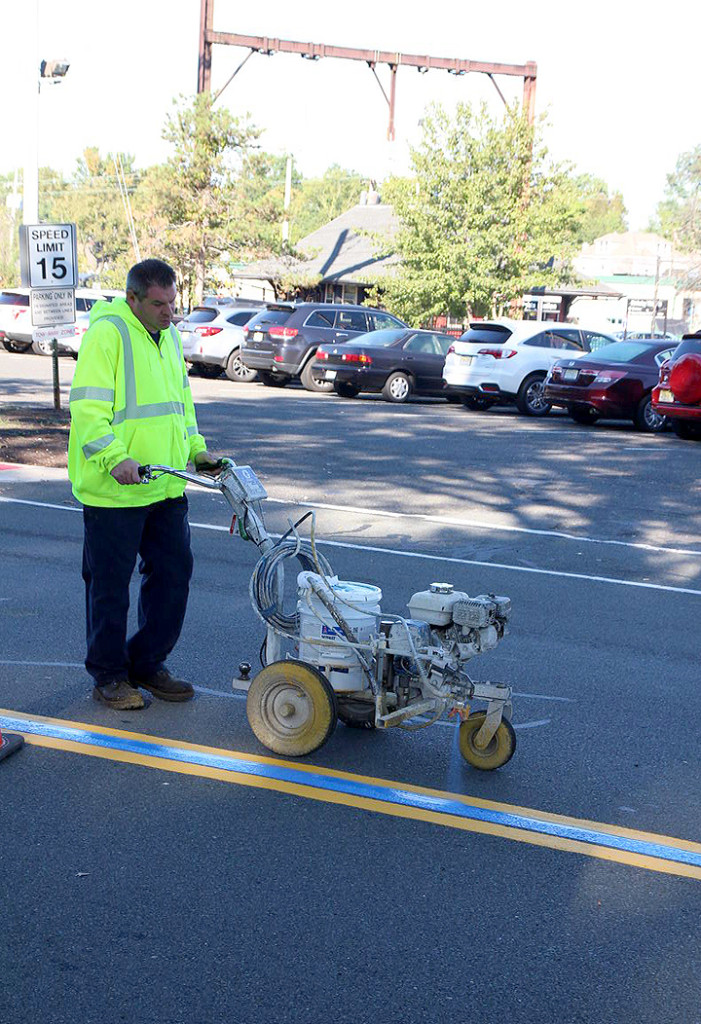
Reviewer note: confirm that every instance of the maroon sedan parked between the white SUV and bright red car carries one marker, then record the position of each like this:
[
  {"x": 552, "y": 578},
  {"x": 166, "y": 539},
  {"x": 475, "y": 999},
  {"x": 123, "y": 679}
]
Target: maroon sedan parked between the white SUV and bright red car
[{"x": 615, "y": 383}]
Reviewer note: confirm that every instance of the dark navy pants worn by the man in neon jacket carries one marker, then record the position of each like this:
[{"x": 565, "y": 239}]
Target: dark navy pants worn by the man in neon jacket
[{"x": 159, "y": 535}]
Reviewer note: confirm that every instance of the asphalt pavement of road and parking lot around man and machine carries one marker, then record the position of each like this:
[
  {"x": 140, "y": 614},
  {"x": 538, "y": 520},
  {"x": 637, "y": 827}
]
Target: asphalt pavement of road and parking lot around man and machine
[{"x": 153, "y": 885}]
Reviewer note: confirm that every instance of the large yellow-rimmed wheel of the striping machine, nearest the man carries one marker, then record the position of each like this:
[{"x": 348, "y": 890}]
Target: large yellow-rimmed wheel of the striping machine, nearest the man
[{"x": 292, "y": 708}]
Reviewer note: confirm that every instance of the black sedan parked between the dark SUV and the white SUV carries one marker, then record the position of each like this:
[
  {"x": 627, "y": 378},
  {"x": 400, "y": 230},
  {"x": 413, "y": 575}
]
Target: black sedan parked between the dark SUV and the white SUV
[{"x": 398, "y": 363}]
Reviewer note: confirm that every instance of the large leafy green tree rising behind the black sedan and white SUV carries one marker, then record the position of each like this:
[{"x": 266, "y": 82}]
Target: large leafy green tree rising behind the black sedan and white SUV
[{"x": 487, "y": 218}]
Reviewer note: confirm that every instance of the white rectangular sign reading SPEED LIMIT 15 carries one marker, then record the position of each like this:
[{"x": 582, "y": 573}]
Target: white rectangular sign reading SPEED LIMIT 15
[{"x": 49, "y": 257}]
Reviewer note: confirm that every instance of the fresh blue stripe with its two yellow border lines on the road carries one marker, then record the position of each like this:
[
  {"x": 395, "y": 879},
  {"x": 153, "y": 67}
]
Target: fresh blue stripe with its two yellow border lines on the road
[{"x": 640, "y": 845}]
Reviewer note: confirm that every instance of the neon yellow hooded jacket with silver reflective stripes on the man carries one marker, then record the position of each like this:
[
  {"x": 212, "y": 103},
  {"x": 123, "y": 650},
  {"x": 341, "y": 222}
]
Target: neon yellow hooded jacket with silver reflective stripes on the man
[{"x": 130, "y": 400}]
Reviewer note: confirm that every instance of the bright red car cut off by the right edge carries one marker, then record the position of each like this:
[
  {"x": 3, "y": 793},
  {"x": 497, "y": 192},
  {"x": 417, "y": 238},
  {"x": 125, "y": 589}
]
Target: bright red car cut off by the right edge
[{"x": 678, "y": 395}]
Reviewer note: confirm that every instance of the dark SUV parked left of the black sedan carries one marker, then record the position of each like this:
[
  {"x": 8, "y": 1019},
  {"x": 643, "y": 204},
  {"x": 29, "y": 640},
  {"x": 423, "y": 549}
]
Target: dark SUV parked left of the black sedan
[{"x": 282, "y": 342}]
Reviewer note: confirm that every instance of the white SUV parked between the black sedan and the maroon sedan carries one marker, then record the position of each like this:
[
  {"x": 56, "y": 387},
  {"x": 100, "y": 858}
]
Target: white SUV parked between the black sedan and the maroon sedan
[{"x": 507, "y": 361}]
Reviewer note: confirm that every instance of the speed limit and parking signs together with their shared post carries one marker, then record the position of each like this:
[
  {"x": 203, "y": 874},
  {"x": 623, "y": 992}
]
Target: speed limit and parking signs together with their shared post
[{"x": 49, "y": 262}]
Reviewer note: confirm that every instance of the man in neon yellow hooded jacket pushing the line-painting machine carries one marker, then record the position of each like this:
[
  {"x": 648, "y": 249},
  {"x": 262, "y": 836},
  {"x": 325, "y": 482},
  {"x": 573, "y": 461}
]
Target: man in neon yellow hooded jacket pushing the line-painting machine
[{"x": 130, "y": 406}]
